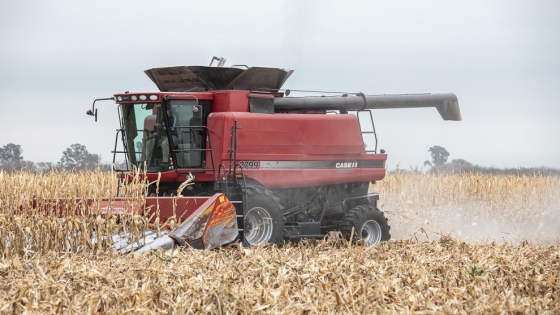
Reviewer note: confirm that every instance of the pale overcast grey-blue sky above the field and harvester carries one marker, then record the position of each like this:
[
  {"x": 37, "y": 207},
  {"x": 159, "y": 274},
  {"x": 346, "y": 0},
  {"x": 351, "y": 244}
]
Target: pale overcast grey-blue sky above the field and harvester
[{"x": 501, "y": 59}]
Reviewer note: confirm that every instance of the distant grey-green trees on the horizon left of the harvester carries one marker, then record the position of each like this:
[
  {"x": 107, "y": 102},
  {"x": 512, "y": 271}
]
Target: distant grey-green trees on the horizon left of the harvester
[{"x": 75, "y": 157}]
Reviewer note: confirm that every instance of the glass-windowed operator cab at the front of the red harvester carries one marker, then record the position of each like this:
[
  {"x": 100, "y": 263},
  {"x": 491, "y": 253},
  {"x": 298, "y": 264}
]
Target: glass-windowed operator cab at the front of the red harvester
[{"x": 164, "y": 136}]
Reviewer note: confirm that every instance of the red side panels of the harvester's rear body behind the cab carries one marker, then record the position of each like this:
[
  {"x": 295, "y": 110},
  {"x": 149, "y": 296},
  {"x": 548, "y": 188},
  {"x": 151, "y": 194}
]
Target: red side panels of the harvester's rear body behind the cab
[{"x": 295, "y": 137}]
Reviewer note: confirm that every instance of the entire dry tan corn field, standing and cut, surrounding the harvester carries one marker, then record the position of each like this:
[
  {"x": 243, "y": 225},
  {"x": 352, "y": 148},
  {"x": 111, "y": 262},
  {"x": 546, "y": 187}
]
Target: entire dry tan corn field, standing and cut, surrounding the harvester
[{"x": 462, "y": 244}]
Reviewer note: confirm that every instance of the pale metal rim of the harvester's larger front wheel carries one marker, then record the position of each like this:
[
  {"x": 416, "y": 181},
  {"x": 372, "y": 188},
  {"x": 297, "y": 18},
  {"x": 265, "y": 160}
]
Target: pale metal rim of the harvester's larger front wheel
[{"x": 258, "y": 226}]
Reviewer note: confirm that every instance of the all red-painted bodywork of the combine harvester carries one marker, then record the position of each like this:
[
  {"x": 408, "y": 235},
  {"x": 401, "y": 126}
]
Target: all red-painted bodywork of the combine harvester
[{"x": 281, "y": 137}]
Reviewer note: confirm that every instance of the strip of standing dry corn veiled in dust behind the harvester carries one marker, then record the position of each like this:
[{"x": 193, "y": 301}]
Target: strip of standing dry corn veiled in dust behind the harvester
[{"x": 472, "y": 208}]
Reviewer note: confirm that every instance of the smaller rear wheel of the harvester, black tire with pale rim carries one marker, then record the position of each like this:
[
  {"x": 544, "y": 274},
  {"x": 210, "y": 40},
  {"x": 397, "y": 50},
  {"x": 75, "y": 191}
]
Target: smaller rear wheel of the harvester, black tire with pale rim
[{"x": 369, "y": 224}]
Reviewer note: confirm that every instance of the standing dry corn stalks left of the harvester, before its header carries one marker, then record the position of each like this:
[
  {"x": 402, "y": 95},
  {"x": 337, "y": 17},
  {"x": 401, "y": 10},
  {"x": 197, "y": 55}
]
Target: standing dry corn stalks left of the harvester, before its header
[{"x": 27, "y": 230}]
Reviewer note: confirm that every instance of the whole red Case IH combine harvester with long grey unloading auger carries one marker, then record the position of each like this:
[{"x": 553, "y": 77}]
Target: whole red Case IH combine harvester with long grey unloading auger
[{"x": 290, "y": 167}]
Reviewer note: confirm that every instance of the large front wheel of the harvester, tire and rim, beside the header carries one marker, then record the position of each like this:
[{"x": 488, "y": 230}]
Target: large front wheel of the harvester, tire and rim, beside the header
[{"x": 263, "y": 221}]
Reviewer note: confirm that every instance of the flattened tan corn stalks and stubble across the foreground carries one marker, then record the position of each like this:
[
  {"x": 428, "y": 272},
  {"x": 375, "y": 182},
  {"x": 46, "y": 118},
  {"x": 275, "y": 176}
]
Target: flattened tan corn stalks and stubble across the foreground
[{"x": 394, "y": 278}]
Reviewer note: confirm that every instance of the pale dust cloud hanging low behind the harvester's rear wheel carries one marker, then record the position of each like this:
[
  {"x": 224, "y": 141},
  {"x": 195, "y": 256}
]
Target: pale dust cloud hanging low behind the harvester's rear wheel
[{"x": 513, "y": 219}]
